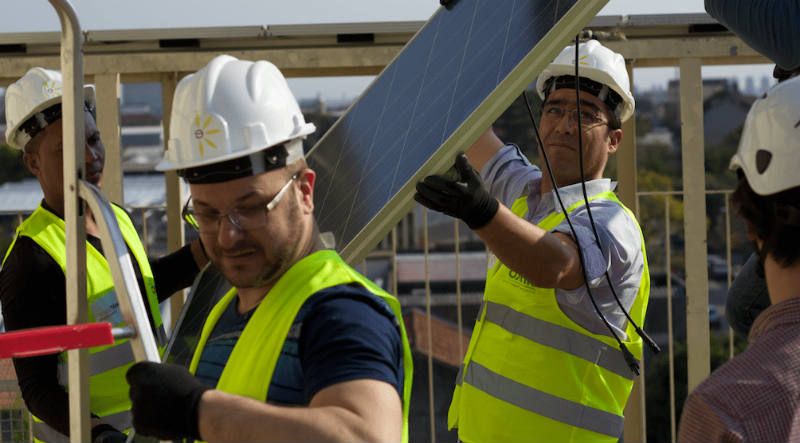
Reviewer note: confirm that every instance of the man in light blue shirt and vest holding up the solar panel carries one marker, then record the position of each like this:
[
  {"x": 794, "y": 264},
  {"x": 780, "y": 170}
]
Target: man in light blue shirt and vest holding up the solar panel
[{"x": 542, "y": 365}]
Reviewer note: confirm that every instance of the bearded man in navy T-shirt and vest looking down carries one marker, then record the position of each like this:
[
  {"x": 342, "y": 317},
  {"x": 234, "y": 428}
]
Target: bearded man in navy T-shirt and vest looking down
[{"x": 303, "y": 348}]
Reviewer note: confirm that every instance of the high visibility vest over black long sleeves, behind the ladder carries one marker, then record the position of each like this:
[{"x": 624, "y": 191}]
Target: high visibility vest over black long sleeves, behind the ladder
[{"x": 108, "y": 389}]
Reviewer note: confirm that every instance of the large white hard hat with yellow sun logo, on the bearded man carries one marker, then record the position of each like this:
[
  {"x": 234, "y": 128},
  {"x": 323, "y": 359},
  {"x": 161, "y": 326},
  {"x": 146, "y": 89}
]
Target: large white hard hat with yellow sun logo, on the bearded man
[{"x": 230, "y": 109}]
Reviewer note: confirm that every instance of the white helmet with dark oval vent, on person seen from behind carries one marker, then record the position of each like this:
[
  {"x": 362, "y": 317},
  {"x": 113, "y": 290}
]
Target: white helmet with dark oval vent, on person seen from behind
[{"x": 769, "y": 149}]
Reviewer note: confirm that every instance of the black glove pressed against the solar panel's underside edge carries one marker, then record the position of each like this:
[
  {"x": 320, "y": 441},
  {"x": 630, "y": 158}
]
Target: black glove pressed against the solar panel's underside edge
[{"x": 464, "y": 197}]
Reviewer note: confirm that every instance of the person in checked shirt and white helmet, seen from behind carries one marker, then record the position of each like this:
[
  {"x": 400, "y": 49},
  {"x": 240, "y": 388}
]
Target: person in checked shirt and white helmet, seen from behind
[{"x": 756, "y": 395}]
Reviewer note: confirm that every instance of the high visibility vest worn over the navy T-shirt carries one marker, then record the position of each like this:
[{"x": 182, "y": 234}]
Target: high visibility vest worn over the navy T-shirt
[{"x": 260, "y": 344}]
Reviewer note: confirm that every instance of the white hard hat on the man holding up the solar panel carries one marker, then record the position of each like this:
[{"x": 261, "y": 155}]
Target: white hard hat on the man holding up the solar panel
[{"x": 597, "y": 63}]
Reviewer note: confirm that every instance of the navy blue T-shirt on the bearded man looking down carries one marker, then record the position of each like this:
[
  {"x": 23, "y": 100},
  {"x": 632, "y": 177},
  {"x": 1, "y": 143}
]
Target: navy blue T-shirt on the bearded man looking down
[{"x": 341, "y": 333}]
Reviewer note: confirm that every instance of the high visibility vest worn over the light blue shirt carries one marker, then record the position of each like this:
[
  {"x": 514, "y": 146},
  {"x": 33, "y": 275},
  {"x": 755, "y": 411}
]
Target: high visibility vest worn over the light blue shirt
[{"x": 532, "y": 374}]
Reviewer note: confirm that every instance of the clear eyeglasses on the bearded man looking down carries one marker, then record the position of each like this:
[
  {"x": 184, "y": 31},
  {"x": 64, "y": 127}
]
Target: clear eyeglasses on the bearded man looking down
[{"x": 244, "y": 218}]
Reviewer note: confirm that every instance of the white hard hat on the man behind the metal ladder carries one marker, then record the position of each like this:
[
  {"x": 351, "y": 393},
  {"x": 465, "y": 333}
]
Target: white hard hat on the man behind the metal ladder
[{"x": 30, "y": 97}]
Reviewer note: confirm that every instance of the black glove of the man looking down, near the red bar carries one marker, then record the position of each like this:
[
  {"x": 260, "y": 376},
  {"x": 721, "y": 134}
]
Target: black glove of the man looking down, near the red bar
[{"x": 164, "y": 400}]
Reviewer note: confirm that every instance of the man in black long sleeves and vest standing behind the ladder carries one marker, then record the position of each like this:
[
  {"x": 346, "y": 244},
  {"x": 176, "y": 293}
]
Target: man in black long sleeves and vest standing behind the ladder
[{"x": 32, "y": 280}]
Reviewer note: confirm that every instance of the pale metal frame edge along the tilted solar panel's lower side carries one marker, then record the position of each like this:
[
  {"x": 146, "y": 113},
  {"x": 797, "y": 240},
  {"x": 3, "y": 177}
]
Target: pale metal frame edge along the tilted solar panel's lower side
[{"x": 470, "y": 129}]
